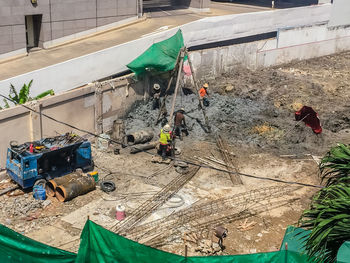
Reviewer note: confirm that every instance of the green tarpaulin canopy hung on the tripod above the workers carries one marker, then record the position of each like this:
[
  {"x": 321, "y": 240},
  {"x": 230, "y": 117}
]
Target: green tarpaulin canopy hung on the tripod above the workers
[{"x": 160, "y": 56}]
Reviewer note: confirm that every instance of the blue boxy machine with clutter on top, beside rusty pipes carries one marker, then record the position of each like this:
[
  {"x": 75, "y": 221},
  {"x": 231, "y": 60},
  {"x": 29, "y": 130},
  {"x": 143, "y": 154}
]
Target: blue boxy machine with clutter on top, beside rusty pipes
[{"x": 33, "y": 162}]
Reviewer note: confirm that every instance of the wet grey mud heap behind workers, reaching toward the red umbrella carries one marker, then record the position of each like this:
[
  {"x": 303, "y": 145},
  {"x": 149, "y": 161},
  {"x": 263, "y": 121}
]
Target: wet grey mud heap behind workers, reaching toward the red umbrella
[{"x": 238, "y": 119}]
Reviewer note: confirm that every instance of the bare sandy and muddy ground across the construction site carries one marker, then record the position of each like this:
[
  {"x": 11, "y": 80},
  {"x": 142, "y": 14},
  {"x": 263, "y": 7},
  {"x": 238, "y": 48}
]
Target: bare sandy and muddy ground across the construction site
[{"x": 320, "y": 83}]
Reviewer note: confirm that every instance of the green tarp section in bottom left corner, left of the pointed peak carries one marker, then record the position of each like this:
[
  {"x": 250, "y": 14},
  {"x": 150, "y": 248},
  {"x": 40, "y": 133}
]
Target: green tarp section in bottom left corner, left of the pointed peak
[{"x": 15, "y": 247}]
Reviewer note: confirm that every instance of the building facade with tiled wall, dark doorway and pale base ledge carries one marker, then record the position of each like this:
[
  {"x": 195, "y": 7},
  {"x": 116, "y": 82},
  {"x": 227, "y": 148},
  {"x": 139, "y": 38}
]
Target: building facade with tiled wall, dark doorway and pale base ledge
[{"x": 26, "y": 24}]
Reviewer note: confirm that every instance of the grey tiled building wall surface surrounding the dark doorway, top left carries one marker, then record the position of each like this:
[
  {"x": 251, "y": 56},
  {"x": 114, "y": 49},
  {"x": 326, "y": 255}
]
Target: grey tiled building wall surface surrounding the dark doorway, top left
[{"x": 60, "y": 18}]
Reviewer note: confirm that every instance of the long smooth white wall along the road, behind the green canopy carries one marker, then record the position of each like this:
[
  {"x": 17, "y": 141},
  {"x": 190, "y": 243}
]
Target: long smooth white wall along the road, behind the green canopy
[{"x": 79, "y": 71}]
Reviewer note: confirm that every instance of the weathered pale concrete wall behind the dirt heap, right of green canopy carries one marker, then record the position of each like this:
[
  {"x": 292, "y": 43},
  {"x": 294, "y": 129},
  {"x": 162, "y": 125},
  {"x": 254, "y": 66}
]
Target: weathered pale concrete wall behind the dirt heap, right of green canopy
[{"x": 292, "y": 44}]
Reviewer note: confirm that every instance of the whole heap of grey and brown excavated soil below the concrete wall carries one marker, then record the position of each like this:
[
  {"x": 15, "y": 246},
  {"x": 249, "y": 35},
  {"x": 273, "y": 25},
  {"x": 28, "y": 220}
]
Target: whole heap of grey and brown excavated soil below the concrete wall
[{"x": 244, "y": 101}]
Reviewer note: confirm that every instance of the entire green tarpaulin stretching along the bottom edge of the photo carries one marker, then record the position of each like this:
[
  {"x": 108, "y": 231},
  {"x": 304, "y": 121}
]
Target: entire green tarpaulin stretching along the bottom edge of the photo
[{"x": 100, "y": 245}]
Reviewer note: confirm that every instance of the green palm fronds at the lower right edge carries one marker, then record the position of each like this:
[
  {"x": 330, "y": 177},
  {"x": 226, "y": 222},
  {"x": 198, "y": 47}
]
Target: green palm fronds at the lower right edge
[{"x": 329, "y": 221}]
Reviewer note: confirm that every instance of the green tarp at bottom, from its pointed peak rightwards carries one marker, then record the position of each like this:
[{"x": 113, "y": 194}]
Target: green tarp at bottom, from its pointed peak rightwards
[{"x": 100, "y": 245}]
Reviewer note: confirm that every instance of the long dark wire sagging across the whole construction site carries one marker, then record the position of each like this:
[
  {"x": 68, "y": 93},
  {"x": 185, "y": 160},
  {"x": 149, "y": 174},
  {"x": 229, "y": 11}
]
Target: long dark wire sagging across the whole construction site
[{"x": 172, "y": 158}]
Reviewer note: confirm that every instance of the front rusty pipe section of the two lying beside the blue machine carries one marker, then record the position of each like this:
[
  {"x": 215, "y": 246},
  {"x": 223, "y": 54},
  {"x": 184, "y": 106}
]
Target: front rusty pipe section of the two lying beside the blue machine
[{"x": 74, "y": 188}]
